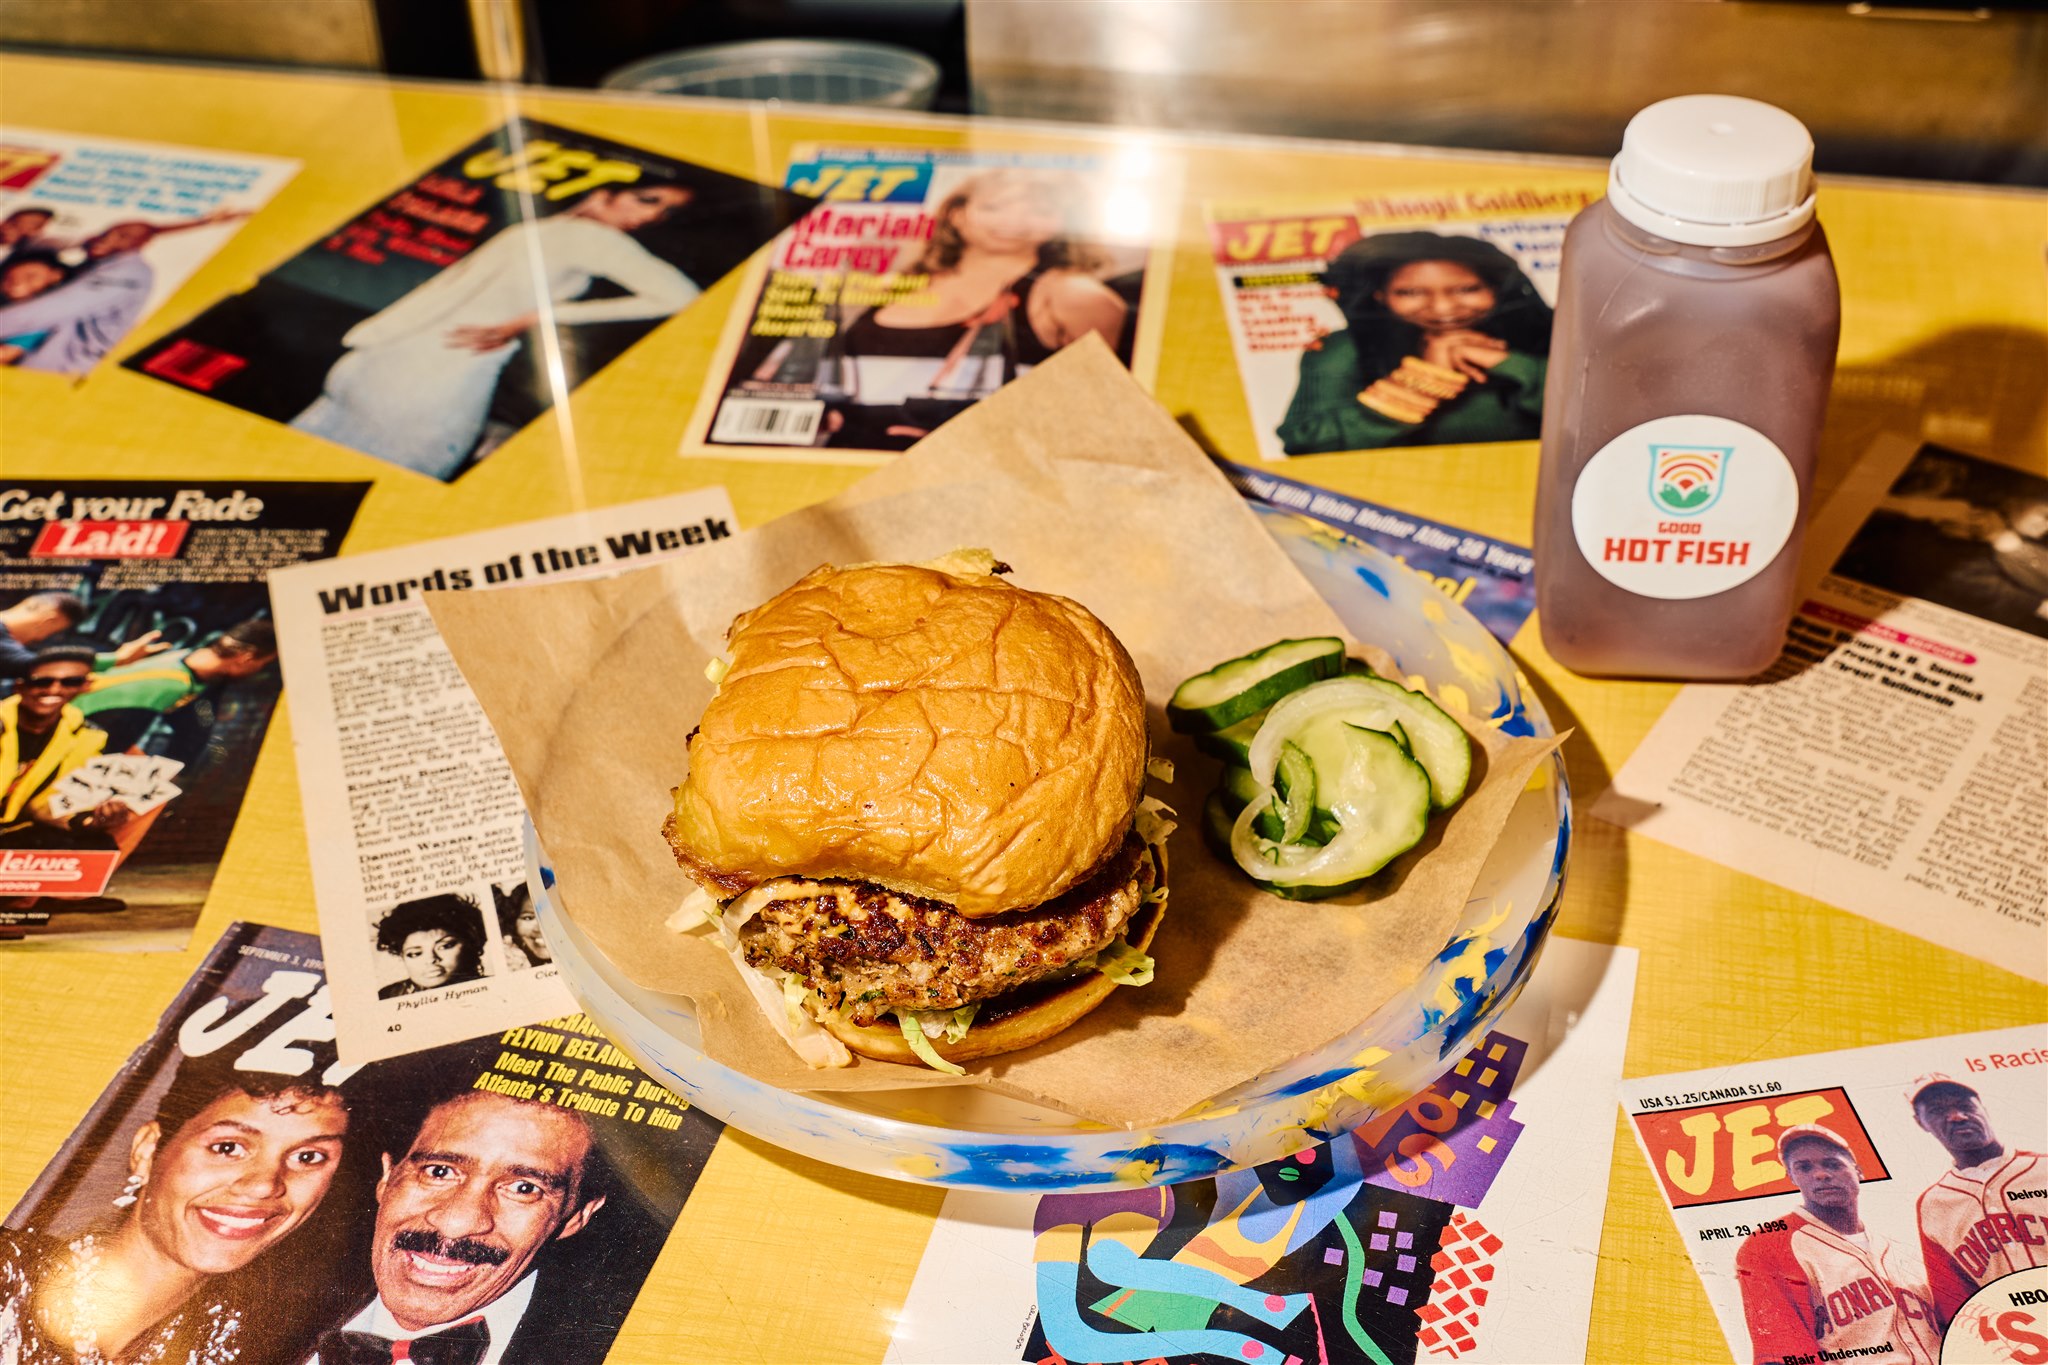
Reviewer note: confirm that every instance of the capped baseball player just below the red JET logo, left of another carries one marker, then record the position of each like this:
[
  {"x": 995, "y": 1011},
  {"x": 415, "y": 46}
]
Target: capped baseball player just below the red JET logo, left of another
[{"x": 1820, "y": 1282}]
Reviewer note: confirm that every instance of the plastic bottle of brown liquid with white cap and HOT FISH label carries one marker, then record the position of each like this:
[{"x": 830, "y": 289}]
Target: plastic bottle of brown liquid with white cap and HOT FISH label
[{"x": 1691, "y": 363}]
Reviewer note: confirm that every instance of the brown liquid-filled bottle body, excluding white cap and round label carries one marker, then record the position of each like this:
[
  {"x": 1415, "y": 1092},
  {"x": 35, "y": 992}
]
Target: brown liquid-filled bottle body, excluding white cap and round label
[{"x": 1650, "y": 328}]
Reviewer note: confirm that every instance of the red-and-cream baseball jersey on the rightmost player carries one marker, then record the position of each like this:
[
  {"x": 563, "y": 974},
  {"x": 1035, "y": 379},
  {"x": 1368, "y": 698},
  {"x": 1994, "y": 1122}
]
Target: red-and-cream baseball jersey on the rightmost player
[{"x": 1983, "y": 1223}]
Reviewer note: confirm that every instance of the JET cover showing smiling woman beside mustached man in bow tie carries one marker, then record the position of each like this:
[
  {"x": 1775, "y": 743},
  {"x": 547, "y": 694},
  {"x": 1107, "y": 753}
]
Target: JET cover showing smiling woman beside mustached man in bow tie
[{"x": 495, "y": 1202}]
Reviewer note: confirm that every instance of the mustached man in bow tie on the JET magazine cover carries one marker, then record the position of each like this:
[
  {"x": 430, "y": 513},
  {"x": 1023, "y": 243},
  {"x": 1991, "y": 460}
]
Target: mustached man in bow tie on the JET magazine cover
[{"x": 464, "y": 1217}]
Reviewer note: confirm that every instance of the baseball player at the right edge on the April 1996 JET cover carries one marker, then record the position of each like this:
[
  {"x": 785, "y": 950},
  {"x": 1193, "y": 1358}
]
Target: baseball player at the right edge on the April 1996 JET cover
[{"x": 1988, "y": 1215}]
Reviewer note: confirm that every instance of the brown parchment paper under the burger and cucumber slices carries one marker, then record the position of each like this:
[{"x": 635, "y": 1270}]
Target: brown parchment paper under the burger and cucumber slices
[{"x": 1089, "y": 490}]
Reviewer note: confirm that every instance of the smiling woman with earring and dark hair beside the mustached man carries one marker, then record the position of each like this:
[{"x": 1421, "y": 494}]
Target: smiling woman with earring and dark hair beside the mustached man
[{"x": 226, "y": 1170}]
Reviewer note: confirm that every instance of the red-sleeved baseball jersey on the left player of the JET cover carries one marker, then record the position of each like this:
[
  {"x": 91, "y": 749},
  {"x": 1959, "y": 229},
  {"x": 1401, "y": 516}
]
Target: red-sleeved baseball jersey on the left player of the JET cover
[{"x": 1811, "y": 1290}]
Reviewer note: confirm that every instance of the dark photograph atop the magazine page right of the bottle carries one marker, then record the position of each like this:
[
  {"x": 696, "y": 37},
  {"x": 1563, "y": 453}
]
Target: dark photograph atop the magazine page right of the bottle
[{"x": 1961, "y": 533}]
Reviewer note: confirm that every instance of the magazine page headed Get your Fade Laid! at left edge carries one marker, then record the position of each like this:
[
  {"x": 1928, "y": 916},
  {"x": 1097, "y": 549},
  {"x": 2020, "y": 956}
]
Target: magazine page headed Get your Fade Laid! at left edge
[{"x": 136, "y": 687}]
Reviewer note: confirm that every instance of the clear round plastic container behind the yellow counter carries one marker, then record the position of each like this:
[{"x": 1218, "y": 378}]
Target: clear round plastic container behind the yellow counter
[{"x": 794, "y": 71}]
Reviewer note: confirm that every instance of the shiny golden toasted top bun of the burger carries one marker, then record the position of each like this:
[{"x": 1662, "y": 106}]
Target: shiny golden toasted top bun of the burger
[{"x": 947, "y": 736}]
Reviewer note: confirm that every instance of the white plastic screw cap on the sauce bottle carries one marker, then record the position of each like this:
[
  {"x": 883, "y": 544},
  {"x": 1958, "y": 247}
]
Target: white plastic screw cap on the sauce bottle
[{"x": 1715, "y": 171}]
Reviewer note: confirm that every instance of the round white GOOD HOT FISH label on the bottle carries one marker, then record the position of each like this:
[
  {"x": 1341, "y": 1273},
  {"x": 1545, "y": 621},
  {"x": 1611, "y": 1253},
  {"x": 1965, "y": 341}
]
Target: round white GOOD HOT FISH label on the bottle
[{"x": 1684, "y": 507}]
